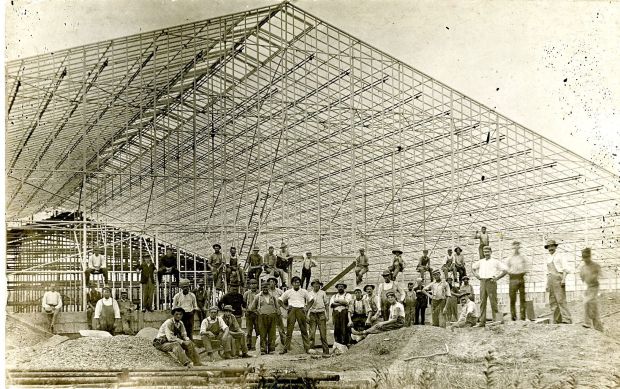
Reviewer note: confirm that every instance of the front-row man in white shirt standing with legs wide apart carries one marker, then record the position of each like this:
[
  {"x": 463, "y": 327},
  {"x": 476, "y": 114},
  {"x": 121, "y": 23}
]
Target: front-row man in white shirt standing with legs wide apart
[{"x": 295, "y": 300}]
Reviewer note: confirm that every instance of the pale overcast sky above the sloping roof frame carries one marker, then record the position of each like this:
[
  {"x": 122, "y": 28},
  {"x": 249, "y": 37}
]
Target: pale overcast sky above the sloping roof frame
[{"x": 549, "y": 65}]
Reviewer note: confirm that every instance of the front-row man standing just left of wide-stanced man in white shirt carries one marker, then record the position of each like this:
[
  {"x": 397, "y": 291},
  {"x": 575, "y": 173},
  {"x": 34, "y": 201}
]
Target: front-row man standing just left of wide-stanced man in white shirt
[{"x": 268, "y": 310}]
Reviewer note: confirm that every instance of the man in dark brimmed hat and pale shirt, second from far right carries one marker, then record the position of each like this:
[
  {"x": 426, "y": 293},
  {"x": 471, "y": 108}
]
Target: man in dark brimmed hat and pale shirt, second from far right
[{"x": 557, "y": 270}]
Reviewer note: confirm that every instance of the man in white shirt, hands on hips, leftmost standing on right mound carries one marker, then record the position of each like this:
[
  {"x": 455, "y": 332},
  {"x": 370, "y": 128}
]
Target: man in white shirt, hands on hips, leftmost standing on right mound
[{"x": 488, "y": 270}]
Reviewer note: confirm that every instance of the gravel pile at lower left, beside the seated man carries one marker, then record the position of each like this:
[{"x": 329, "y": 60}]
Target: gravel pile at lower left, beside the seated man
[{"x": 97, "y": 353}]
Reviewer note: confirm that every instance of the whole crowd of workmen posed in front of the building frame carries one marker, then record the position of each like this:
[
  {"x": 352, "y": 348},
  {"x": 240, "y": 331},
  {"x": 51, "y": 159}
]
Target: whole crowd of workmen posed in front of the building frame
[{"x": 268, "y": 302}]
